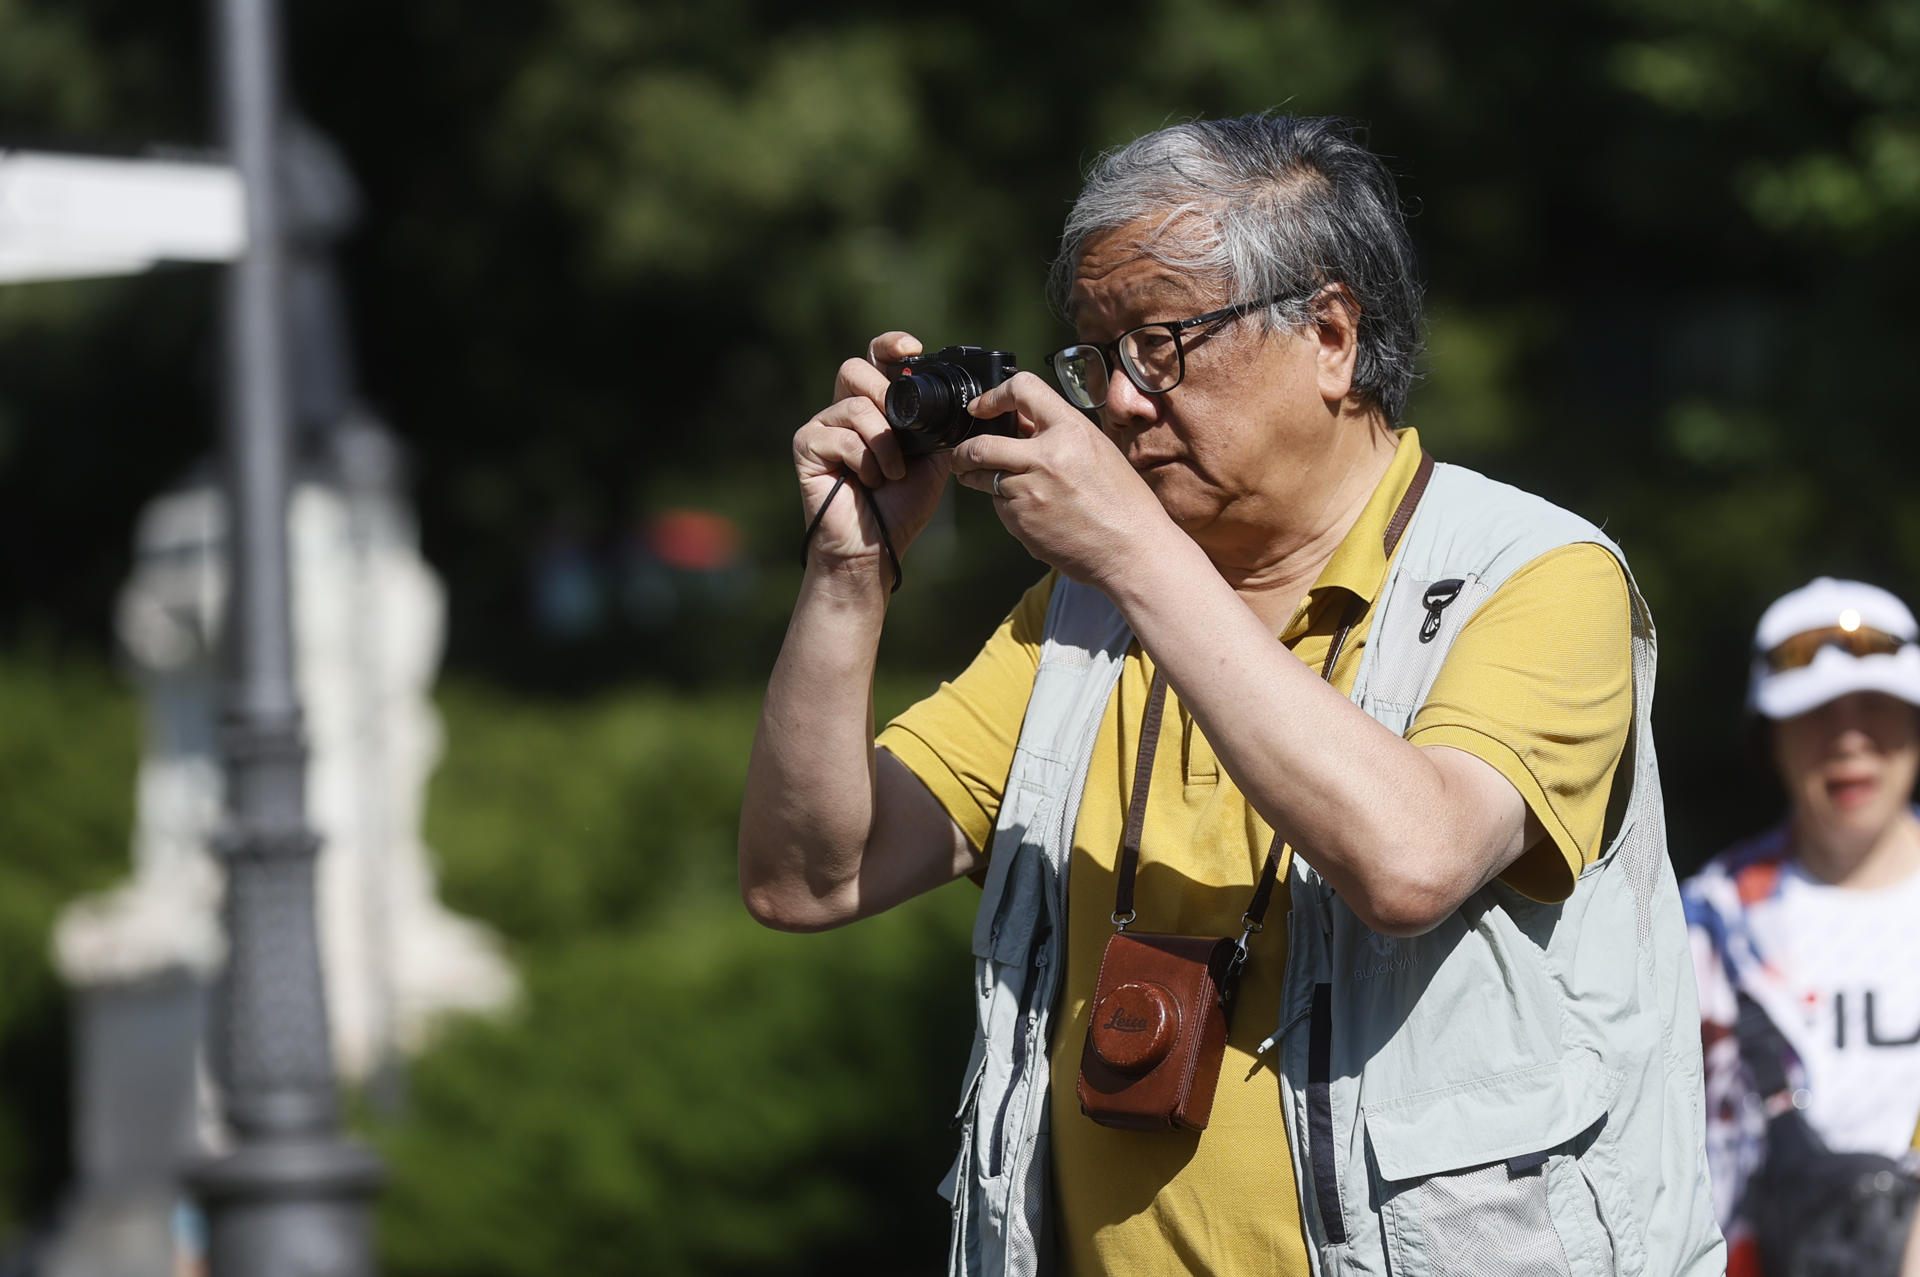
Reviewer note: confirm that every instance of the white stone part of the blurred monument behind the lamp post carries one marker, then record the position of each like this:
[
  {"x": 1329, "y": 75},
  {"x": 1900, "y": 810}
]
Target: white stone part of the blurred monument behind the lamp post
[{"x": 370, "y": 623}]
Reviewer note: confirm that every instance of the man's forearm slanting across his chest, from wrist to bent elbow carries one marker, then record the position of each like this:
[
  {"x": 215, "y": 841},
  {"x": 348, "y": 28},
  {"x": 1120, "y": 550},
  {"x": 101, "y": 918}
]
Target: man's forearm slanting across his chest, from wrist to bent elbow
[{"x": 1374, "y": 813}]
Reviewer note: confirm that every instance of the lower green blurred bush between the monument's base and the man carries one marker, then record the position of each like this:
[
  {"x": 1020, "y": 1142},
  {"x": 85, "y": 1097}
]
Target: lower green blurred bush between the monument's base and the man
[{"x": 700, "y": 1097}]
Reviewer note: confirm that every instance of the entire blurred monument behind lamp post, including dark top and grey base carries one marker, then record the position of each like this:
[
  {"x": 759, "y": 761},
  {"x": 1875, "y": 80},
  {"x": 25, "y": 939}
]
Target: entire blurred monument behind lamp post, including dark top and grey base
[{"x": 370, "y": 625}]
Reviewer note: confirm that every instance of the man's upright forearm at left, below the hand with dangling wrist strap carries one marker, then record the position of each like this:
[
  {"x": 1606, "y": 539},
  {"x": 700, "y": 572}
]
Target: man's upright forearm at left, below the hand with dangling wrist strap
[{"x": 809, "y": 800}]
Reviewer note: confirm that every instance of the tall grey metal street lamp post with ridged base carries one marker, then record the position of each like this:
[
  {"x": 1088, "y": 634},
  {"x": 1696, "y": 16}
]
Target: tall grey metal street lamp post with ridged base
[{"x": 293, "y": 1199}]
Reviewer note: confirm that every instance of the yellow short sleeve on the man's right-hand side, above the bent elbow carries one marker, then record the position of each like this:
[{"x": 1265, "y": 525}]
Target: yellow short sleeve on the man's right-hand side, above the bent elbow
[{"x": 1541, "y": 688}]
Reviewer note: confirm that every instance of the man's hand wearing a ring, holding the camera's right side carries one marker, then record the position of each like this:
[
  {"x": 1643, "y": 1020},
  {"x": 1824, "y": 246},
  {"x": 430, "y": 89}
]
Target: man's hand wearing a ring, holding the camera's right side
[{"x": 1065, "y": 491}]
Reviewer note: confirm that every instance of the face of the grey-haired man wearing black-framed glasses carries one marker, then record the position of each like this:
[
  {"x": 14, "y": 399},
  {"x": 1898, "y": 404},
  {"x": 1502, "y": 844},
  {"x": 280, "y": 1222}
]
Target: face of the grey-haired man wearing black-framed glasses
[{"x": 1241, "y": 435}]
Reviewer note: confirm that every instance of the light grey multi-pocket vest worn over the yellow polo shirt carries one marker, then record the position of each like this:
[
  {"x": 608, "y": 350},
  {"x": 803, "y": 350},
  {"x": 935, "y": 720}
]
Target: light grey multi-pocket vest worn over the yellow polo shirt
[{"x": 1518, "y": 1092}]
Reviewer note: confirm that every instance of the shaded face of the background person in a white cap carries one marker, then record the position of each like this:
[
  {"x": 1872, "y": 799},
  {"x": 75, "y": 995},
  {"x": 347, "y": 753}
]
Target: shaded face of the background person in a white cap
[{"x": 1850, "y": 767}]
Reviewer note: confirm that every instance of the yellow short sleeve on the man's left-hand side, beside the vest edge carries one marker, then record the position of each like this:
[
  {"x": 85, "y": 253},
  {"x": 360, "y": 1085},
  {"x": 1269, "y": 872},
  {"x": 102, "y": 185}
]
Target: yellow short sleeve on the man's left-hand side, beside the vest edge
[{"x": 961, "y": 740}]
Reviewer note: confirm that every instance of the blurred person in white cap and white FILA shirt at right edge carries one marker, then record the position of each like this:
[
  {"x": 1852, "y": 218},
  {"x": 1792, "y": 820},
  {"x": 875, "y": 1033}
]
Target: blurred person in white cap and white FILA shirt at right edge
[{"x": 1808, "y": 948}]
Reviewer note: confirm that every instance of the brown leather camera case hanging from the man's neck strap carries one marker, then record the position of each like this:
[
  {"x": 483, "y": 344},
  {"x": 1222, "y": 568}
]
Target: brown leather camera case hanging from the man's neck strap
[{"x": 1157, "y": 1032}]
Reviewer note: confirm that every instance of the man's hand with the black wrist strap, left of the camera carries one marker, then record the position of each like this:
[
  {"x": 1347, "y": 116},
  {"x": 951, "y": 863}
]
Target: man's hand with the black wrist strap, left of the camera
[{"x": 853, "y": 435}]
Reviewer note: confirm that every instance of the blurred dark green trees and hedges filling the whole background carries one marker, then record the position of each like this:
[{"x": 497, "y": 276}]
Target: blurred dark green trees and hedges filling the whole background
[{"x": 612, "y": 260}]
